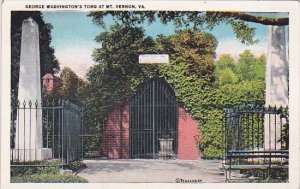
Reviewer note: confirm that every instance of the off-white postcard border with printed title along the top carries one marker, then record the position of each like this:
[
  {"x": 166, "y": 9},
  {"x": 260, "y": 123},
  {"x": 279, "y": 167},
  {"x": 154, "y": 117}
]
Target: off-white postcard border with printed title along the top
[{"x": 250, "y": 6}]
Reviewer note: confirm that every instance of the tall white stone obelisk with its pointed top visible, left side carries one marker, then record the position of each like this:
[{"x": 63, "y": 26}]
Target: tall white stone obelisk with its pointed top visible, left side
[{"x": 29, "y": 141}]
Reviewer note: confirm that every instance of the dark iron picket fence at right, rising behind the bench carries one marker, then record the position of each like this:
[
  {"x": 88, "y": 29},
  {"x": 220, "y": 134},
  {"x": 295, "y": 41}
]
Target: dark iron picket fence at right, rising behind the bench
[{"x": 253, "y": 127}]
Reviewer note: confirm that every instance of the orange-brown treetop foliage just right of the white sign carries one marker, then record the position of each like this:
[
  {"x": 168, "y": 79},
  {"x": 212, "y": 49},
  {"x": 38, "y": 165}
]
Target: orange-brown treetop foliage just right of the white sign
[{"x": 193, "y": 48}]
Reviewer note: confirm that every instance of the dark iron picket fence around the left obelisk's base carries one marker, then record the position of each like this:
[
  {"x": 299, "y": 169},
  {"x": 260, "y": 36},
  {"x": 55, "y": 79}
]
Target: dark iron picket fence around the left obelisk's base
[{"x": 45, "y": 131}]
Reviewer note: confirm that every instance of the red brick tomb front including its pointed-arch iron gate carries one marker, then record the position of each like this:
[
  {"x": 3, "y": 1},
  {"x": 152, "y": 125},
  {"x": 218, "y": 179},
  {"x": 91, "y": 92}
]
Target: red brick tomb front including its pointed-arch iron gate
[{"x": 148, "y": 124}]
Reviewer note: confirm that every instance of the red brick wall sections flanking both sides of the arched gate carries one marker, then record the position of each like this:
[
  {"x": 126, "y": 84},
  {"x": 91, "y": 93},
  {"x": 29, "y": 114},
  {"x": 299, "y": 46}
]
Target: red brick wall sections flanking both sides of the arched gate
[{"x": 115, "y": 142}]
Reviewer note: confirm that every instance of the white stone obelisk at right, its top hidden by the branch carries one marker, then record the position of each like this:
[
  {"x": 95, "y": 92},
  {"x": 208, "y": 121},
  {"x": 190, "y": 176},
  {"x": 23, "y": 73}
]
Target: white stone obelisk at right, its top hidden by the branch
[{"x": 276, "y": 83}]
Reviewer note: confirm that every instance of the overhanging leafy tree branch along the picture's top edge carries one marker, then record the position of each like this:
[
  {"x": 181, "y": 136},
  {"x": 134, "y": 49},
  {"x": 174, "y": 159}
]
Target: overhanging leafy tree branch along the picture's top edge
[{"x": 194, "y": 19}]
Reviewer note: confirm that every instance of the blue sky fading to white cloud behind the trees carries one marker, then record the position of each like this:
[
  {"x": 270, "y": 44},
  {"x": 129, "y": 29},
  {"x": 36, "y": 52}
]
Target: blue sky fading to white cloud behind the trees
[{"x": 74, "y": 32}]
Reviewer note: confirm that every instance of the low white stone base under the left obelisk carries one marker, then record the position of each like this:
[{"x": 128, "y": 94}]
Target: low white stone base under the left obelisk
[{"x": 29, "y": 155}]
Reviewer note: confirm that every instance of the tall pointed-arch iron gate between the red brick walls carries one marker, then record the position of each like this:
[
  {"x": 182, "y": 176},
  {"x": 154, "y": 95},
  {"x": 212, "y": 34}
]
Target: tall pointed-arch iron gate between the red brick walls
[{"x": 153, "y": 121}]
